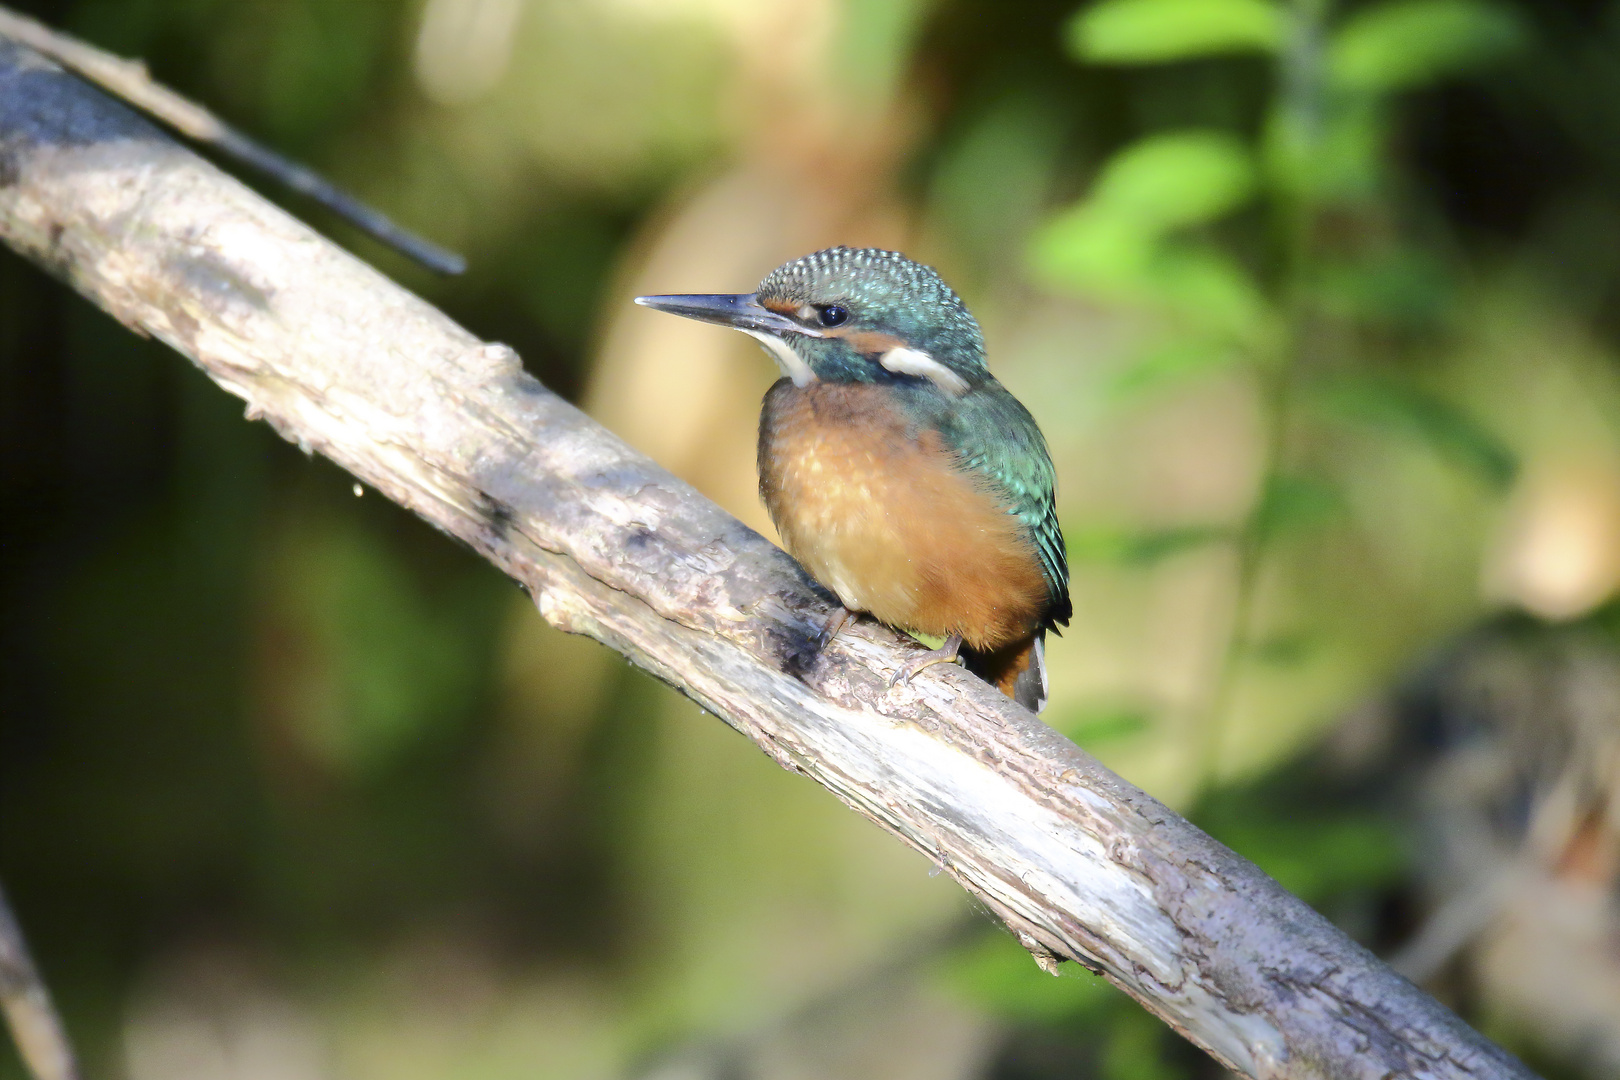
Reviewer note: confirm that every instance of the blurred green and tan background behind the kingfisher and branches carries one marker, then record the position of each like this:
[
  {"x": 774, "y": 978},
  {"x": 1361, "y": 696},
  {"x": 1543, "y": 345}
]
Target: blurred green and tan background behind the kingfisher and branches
[{"x": 1318, "y": 304}]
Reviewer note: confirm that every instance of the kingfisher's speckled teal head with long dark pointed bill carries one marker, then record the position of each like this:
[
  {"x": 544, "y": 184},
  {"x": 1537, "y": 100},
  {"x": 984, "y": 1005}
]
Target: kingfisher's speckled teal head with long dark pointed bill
[{"x": 853, "y": 315}]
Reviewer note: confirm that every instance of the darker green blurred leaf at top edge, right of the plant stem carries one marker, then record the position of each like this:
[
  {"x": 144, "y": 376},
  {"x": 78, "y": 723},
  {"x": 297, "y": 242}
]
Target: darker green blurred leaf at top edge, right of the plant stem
[{"x": 1402, "y": 45}]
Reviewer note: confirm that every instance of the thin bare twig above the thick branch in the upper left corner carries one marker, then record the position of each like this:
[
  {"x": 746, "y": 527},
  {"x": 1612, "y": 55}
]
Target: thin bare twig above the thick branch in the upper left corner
[{"x": 132, "y": 83}]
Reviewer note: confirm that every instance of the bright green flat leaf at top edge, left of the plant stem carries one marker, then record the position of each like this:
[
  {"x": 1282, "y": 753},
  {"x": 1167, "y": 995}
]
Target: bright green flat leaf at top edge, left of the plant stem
[{"x": 1153, "y": 32}]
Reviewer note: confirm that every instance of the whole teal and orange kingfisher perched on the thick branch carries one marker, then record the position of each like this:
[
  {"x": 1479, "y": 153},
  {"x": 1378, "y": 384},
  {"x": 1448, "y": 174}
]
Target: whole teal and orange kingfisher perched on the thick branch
[{"x": 898, "y": 472}]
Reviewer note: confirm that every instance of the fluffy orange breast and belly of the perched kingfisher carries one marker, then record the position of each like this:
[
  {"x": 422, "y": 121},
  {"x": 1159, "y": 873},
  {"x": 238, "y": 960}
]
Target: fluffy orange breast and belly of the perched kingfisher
[{"x": 879, "y": 514}]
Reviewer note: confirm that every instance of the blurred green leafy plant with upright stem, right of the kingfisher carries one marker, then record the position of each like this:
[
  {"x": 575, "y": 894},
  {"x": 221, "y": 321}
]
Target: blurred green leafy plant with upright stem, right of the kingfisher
[{"x": 1273, "y": 249}]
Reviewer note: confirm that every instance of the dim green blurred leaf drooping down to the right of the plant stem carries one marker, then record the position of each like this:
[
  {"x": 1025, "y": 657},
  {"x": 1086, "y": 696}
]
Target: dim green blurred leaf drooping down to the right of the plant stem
[{"x": 1446, "y": 430}]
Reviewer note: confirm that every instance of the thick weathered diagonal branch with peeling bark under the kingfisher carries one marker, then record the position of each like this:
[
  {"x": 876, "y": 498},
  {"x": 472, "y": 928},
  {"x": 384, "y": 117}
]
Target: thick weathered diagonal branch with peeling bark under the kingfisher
[{"x": 352, "y": 367}]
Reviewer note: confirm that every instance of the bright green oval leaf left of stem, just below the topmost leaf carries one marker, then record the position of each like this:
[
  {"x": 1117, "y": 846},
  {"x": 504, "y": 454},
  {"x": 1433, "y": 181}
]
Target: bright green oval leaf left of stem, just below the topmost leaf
[{"x": 1177, "y": 179}]
